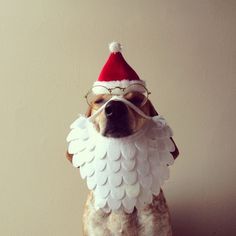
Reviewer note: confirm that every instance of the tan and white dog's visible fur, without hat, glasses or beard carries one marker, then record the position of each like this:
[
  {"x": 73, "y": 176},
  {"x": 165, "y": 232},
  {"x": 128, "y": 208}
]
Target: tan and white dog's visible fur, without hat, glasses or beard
[{"x": 119, "y": 120}]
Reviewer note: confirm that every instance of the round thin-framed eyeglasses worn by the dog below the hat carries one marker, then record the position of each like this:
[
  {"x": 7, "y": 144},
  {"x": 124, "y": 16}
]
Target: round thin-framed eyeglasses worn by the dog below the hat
[{"x": 135, "y": 93}]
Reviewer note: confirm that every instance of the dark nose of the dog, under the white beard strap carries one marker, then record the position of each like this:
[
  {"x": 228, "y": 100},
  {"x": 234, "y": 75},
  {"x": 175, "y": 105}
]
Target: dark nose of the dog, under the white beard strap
[{"x": 115, "y": 110}]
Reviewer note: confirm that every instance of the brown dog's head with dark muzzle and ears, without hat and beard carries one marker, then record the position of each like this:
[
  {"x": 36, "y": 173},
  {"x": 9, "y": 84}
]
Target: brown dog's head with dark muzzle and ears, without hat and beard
[{"x": 117, "y": 119}]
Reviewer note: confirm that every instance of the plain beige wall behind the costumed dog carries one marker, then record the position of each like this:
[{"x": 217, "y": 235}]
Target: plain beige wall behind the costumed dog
[{"x": 50, "y": 54}]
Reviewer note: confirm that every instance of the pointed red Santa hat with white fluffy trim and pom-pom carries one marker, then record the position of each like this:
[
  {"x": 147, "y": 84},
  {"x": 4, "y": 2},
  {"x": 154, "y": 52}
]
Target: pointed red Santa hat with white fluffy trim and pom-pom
[{"x": 117, "y": 73}]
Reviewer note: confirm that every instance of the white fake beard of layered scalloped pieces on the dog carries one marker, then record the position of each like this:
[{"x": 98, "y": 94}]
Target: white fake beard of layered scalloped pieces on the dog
[{"x": 123, "y": 173}]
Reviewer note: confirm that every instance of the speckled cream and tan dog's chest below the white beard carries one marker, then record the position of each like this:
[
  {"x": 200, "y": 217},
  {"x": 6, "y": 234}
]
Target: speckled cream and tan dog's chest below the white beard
[{"x": 154, "y": 219}]
